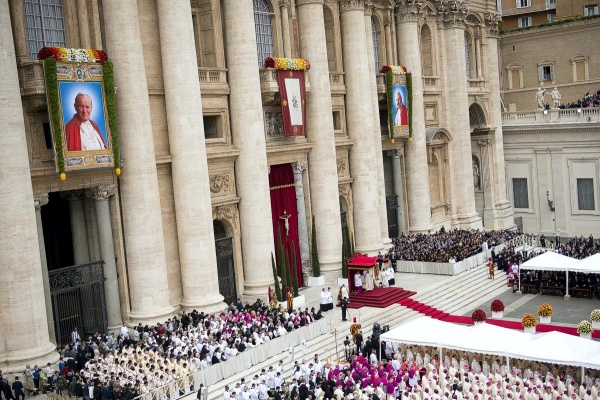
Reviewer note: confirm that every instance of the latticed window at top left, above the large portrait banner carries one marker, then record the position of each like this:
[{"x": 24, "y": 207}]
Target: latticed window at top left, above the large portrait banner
[{"x": 44, "y": 24}]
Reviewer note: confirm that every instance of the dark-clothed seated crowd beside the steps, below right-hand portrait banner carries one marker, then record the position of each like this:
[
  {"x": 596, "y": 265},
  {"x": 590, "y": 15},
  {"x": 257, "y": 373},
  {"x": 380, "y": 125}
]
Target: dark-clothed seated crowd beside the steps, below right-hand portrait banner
[{"x": 452, "y": 246}]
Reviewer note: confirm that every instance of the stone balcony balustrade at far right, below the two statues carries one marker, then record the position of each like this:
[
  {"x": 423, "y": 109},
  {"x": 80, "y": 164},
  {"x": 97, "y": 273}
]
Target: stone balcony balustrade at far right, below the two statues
[{"x": 567, "y": 116}]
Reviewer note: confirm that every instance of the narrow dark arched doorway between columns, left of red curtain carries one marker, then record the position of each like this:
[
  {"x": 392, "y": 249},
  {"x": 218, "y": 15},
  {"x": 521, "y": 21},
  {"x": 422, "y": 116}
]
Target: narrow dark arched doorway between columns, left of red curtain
[{"x": 225, "y": 264}]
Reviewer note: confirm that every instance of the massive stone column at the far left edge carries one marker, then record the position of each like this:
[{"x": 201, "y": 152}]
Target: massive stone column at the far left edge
[{"x": 23, "y": 321}]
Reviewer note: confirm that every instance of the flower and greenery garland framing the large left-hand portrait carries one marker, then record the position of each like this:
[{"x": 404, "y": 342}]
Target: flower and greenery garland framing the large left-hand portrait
[{"x": 49, "y": 56}]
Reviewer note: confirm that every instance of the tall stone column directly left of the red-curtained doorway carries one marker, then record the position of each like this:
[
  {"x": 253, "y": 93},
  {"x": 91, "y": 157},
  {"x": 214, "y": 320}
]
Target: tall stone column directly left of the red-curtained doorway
[{"x": 248, "y": 131}]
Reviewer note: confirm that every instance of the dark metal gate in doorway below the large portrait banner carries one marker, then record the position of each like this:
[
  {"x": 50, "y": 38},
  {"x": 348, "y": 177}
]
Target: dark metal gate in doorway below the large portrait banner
[{"x": 78, "y": 300}]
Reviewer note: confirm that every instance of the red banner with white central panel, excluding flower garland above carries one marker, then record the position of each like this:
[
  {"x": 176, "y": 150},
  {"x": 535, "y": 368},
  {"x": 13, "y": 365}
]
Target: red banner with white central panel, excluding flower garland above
[{"x": 293, "y": 102}]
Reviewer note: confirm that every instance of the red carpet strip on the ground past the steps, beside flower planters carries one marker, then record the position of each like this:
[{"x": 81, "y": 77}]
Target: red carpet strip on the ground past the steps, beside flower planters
[{"x": 461, "y": 319}]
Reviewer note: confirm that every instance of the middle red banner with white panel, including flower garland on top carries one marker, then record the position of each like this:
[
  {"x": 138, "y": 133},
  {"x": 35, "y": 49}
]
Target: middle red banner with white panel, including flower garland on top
[{"x": 292, "y": 92}]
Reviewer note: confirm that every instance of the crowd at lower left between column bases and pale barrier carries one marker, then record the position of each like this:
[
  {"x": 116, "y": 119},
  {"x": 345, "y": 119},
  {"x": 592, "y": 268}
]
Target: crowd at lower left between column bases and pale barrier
[{"x": 136, "y": 361}]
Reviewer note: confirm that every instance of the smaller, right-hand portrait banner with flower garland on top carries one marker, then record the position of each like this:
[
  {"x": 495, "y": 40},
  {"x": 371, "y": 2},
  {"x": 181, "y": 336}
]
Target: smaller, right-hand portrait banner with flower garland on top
[{"x": 399, "y": 99}]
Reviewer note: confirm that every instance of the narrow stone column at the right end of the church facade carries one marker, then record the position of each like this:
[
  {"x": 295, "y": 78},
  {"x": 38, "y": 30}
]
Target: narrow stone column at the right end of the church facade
[{"x": 503, "y": 212}]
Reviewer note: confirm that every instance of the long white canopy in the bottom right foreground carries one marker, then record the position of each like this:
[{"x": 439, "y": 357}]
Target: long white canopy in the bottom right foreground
[{"x": 551, "y": 347}]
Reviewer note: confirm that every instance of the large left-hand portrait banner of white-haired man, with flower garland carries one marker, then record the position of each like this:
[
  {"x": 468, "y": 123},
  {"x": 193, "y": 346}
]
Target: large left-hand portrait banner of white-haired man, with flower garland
[{"x": 81, "y": 105}]
